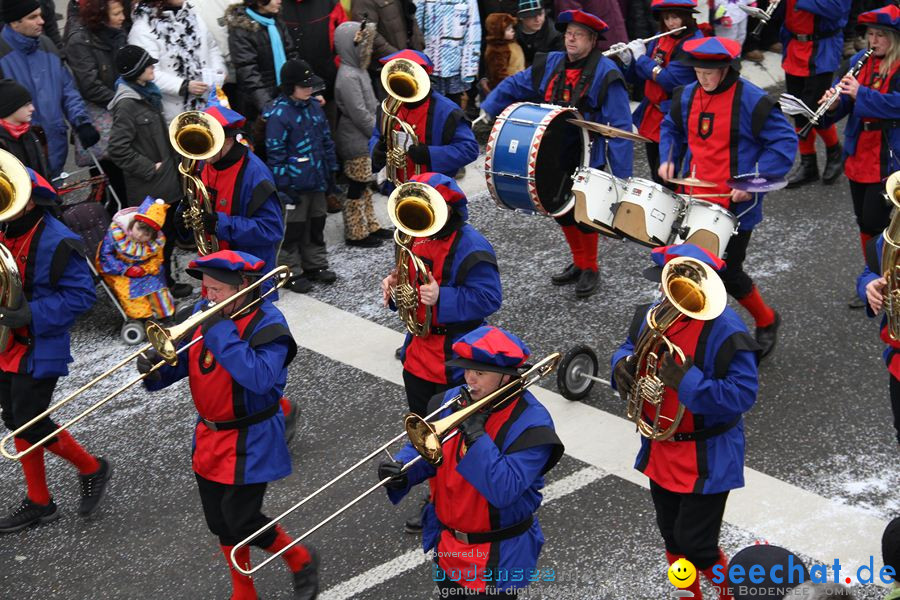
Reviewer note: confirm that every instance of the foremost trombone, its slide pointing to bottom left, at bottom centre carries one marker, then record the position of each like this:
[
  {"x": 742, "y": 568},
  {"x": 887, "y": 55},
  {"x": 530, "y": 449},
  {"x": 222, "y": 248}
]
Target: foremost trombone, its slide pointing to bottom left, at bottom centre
[{"x": 427, "y": 438}]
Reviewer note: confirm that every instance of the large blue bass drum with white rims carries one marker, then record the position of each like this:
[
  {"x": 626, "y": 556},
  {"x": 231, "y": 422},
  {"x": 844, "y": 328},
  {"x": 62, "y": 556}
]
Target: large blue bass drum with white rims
[{"x": 531, "y": 155}]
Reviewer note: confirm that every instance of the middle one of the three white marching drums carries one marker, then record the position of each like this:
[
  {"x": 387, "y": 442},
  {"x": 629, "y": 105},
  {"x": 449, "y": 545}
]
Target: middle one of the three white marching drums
[{"x": 648, "y": 212}]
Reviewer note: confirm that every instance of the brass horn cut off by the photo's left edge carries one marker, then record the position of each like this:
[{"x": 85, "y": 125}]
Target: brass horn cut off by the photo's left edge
[{"x": 15, "y": 191}]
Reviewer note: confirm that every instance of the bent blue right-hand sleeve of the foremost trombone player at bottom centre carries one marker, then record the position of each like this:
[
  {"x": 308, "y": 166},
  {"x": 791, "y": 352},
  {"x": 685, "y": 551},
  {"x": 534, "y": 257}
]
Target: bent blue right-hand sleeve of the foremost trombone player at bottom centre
[{"x": 502, "y": 478}]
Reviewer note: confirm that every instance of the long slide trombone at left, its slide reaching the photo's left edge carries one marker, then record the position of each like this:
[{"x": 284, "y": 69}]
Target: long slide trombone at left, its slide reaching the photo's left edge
[{"x": 164, "y": 340}]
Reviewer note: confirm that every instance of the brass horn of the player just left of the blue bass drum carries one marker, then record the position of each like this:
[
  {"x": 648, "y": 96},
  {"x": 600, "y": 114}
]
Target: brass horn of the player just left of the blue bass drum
[{"x": 405, "y": 82}]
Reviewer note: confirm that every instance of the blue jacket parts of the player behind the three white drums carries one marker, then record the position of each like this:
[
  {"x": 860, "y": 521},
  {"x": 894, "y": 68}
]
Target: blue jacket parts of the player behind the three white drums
[{"x": 766, "y": 140}]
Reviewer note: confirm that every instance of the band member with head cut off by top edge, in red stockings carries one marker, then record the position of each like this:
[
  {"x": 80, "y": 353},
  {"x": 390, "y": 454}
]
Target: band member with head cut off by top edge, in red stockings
[{"x": 813, "y": 40}]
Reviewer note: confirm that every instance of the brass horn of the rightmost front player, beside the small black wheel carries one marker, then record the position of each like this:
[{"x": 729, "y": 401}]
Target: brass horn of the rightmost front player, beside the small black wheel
[{"x": 691, "y": 289}]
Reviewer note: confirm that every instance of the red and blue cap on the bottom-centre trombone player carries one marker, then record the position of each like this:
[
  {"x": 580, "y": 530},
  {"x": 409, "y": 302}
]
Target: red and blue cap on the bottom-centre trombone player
[{"x": 490, "y": 348}]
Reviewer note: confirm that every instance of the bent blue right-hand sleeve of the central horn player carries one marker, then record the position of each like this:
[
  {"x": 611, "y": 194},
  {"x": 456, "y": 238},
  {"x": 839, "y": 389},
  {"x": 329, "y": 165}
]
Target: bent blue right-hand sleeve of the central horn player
[{"x": 479, "y": 295}]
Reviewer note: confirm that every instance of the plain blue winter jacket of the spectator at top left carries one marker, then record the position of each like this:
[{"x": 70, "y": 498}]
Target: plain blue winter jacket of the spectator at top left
[{"x": 34, "y": 63}]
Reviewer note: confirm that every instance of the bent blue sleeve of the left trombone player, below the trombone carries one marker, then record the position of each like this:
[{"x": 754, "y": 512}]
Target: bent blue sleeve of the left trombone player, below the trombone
[{"x": 256, "y": 369}]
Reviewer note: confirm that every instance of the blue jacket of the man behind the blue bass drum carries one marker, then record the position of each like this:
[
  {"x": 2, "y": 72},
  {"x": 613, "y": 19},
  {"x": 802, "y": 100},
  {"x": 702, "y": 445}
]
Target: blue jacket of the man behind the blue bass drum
[{"x": 606, "y": 102}]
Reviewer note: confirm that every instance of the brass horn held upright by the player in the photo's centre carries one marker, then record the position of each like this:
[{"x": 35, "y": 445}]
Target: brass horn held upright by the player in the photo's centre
[{"x": 418, "y": 211}]
